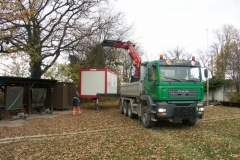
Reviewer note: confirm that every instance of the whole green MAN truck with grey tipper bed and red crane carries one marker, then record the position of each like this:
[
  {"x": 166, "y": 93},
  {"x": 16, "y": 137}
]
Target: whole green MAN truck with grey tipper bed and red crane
[{"x": 164, "y": 89}]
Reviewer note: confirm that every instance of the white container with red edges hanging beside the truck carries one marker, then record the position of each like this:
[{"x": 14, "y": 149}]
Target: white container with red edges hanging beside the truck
[{"x": 96, "y": 80}]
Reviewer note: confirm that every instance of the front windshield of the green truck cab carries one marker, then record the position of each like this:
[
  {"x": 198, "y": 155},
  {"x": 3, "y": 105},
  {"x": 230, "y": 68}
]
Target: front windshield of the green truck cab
[{"x": 180, "y": 73}]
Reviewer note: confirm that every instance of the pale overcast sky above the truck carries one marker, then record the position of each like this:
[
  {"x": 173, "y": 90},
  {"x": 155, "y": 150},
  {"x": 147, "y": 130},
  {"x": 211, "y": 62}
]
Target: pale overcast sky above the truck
[{"x": 161, "y": 25}]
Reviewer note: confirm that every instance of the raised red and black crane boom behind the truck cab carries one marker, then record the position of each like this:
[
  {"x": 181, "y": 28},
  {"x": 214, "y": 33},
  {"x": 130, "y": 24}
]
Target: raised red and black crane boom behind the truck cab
[{"x": 132, "y": 52}]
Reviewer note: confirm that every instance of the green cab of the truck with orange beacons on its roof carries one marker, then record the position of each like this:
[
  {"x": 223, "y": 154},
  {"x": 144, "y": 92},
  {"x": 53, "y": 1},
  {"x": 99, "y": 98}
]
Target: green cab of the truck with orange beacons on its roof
[{"x": 173, "y": 90}]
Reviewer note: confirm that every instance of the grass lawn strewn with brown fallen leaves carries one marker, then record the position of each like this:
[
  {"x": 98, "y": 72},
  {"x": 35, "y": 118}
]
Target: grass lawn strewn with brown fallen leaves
[{"x": 110, "y": 135}]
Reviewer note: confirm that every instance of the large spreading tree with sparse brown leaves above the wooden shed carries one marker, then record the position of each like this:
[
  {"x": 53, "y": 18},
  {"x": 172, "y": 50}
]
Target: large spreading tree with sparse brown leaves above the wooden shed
[{"x": 44, "y": 29}]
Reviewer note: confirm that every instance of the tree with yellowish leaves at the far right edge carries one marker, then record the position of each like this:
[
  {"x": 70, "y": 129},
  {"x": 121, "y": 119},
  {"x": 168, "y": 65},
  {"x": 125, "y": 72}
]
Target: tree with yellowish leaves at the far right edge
[{"x": 226, "y": 57}]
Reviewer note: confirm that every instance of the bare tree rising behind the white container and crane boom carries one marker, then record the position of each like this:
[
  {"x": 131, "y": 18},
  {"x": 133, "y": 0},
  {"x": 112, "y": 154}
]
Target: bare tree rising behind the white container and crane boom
[{"x": 90, "y": 53}]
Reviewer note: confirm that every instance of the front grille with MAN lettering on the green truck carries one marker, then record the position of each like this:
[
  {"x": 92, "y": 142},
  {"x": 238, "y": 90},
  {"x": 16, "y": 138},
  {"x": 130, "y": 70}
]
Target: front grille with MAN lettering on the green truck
[{"x": 172, "y": 93}]
